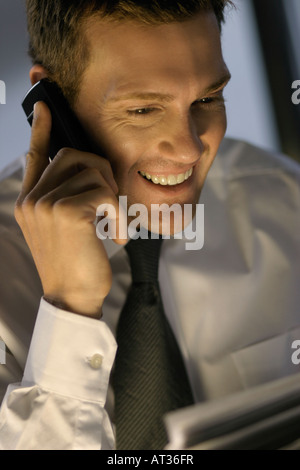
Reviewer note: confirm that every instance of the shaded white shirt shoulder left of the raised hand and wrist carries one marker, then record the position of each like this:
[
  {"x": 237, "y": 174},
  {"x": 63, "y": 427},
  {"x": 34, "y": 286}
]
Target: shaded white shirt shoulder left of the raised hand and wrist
[{"x": 20, "y": 288}]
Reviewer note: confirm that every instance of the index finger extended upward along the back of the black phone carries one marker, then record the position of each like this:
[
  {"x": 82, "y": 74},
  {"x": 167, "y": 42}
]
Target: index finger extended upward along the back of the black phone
[{"x": 37, "y": 158}]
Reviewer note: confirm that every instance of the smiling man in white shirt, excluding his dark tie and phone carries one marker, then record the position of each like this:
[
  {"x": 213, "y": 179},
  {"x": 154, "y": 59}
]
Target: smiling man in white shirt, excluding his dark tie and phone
[{"x": 147, "y": 84}]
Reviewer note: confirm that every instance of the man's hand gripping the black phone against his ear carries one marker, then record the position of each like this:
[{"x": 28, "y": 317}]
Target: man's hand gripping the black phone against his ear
[{"x": 56, "y": 210}]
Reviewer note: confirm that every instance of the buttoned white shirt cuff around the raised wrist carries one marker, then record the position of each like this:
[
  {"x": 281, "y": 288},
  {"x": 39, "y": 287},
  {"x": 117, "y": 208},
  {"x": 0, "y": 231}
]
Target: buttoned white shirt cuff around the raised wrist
[{"x": 70, "y": 354}]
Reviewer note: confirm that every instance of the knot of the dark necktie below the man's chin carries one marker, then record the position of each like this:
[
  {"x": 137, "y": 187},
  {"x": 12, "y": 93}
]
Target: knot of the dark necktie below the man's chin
[{"x": 144, "y": 257}]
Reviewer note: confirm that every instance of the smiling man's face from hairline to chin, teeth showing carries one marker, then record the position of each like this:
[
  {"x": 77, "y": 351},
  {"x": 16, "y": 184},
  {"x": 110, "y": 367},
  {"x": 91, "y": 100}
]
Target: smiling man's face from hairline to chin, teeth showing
[{"x": 151, "y": 98}]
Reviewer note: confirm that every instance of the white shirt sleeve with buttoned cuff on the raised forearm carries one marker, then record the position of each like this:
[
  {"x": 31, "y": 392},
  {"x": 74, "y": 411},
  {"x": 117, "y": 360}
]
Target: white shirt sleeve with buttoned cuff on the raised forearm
[{"x": 59, "y": 405}]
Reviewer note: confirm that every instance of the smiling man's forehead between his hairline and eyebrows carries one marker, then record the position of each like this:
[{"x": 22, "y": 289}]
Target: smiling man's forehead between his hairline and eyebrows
[{"x": 129, "y": 54}]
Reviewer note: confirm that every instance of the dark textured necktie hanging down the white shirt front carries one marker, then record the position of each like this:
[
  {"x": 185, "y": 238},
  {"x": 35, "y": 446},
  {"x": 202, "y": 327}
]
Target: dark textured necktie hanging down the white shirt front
[{"x": 149, "y": 377}]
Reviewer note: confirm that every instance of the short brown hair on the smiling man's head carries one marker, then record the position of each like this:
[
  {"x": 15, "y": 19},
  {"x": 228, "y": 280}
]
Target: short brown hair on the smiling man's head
[{"x": 58, "y": 44}]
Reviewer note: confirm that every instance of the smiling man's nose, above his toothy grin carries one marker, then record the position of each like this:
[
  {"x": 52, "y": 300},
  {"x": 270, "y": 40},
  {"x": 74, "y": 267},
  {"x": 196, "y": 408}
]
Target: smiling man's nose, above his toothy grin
[{"x": 181, "y": 141}]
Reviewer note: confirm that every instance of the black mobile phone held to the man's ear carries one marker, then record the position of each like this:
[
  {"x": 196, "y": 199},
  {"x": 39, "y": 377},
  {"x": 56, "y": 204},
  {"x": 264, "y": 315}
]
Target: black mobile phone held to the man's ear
[{"x": 66, "y": 128}]
